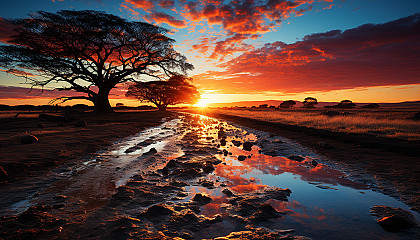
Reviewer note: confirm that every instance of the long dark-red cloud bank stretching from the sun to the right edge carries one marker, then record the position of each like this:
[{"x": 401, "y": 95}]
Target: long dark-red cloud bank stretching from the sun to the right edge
[{"x": 366, "y": 56}]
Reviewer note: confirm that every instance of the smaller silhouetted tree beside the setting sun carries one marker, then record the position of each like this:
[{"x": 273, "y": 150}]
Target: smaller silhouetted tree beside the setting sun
[{"x": 177, "y": 89}]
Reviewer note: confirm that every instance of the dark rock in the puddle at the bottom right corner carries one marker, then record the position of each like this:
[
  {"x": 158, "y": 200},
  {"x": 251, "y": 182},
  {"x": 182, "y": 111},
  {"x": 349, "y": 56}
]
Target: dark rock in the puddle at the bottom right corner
[{"x": 393, "y": 219}]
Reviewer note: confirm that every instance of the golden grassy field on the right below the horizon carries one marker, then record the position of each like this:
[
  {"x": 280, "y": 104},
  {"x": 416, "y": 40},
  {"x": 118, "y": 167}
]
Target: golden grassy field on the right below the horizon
[{"x": 394, "y": 123}]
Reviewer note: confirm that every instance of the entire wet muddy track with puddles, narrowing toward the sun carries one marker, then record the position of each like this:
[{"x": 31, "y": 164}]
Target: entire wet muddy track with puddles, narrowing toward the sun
[{"x": 195, "y": 177}]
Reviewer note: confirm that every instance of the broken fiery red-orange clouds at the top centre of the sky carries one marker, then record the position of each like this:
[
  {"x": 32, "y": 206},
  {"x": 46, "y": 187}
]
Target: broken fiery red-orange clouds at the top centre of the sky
[{"x": 248, "y": 19}]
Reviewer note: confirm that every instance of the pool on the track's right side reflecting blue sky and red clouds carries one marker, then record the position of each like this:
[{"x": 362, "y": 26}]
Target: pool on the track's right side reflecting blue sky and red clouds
[{"x": 324, "y": 204}]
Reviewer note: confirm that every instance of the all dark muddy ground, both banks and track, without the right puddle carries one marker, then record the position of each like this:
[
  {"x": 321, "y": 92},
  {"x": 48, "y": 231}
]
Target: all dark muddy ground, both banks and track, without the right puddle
[{"x": 79, "y": 195}]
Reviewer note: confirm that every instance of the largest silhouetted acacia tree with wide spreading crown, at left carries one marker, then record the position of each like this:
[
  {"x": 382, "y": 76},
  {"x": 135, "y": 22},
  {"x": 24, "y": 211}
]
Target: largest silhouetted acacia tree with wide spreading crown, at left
[{"x": 90, "y": 52}]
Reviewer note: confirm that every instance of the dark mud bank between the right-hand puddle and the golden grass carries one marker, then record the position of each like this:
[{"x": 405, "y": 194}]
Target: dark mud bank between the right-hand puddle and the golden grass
[{"x": 387, "y": 165}]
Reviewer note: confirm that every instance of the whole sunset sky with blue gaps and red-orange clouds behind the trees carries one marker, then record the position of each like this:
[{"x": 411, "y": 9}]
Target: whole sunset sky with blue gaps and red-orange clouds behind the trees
[{"x": 362, "y": 50}]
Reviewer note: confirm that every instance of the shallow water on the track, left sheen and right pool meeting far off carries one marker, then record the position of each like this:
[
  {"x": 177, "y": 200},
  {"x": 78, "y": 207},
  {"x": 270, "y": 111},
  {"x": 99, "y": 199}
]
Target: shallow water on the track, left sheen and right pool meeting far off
[{"x": 324, "y": 203}]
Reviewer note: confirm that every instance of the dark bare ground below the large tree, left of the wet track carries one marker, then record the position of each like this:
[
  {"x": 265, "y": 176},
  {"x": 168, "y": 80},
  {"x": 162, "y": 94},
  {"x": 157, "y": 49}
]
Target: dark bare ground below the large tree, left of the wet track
[{"x": 61, "y": 141}]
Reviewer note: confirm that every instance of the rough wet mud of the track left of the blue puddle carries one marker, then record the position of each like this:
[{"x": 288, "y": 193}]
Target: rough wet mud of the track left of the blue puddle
[{"x": 89, "y": 200}]
